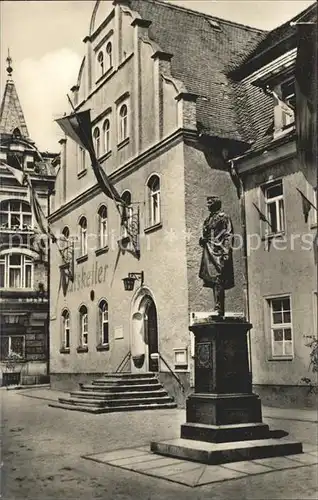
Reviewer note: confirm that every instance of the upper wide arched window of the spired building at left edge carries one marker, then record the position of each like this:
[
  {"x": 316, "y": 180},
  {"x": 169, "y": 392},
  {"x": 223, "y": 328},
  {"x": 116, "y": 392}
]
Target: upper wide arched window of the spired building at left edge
[{"x": 16, "y": 215}]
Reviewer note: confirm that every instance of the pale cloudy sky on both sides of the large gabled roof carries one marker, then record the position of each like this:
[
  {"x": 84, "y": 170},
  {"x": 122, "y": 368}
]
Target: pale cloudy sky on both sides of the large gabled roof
[{"x": 46, "y": 45}]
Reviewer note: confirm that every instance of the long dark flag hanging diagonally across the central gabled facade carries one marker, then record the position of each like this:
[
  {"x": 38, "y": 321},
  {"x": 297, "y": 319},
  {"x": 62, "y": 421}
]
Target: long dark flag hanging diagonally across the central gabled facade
[{"x": 78, "y": 127}]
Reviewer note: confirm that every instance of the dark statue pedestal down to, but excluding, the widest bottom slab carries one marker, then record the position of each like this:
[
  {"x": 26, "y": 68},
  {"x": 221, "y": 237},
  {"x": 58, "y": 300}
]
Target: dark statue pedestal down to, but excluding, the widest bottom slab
[{"x": 223, "y": 394}]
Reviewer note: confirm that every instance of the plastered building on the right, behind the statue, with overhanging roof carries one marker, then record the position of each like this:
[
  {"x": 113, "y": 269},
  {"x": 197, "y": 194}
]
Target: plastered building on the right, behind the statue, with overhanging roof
[{"x": 282, "y": 245}]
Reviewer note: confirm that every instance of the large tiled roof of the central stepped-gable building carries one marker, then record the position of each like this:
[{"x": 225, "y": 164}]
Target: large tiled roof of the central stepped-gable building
[{"x": 205, "y": 49}]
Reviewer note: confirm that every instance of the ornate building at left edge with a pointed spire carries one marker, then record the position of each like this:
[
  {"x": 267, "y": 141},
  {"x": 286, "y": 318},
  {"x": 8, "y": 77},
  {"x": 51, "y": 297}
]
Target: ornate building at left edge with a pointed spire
[{"x": 23, "y": 254}]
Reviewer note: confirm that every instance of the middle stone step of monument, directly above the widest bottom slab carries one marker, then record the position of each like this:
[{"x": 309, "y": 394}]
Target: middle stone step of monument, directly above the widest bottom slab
[{"x": 224, "y": 433}]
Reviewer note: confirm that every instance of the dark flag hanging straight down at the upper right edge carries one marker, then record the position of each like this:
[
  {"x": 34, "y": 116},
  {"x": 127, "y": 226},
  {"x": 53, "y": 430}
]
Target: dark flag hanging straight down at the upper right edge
[{"x": 306, "y": 93}]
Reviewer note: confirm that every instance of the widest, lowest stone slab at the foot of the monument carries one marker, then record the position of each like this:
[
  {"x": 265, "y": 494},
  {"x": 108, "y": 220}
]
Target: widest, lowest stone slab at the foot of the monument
[{"x": 221, "y": 453}]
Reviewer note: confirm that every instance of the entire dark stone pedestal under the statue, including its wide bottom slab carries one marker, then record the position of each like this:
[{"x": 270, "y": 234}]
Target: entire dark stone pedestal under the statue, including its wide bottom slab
[{"x": 223, "y": 409}]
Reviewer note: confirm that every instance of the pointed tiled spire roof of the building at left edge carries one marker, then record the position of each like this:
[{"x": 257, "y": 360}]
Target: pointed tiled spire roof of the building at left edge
[{"x": 11, "y": 114}]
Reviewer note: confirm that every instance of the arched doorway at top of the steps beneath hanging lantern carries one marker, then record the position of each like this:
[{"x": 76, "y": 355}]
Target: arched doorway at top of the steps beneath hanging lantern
[{"x": 144, "y": 332}]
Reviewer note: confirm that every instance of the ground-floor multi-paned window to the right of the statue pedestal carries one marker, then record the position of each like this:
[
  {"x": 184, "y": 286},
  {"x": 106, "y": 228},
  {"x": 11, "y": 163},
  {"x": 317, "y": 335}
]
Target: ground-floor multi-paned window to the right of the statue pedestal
[{"x": 281, "y": 326}]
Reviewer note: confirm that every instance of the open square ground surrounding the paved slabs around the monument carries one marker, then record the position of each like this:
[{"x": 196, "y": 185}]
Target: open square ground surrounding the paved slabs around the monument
[{"x": 43, "y": 447}]
